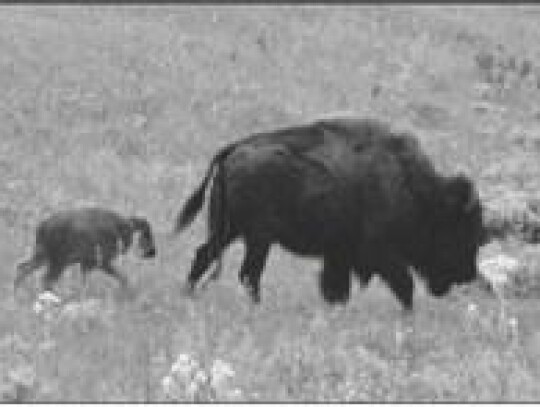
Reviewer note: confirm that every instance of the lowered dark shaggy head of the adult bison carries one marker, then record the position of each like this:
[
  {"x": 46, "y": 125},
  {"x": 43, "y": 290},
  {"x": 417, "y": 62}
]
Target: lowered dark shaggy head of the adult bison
[{"x": 456, "y": 233}]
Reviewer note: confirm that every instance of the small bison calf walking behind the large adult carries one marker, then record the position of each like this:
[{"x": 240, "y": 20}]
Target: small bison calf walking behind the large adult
[{"x": 92, "y": 237}]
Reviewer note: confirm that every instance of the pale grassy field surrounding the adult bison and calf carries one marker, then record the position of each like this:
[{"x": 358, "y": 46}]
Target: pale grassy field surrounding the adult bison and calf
[{"x": 124, "y": 106}]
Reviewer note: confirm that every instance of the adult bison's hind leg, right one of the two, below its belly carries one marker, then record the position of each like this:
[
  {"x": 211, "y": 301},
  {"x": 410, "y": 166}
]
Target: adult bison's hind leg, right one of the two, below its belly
[{"x": 252, "y": 267}]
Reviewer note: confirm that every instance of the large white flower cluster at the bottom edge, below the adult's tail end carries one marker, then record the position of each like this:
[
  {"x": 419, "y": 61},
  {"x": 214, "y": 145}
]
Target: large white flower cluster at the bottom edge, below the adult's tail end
[{"x": 189, "y": 381}]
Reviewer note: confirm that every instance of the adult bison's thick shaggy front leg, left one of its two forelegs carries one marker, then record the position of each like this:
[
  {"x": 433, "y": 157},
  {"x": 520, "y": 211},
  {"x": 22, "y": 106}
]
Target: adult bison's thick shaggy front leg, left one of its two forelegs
[{"x": 335, "y": 279}]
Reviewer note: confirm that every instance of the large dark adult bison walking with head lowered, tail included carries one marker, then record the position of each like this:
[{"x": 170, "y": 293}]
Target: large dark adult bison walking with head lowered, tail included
[{"x": 362, "y": 197}]
